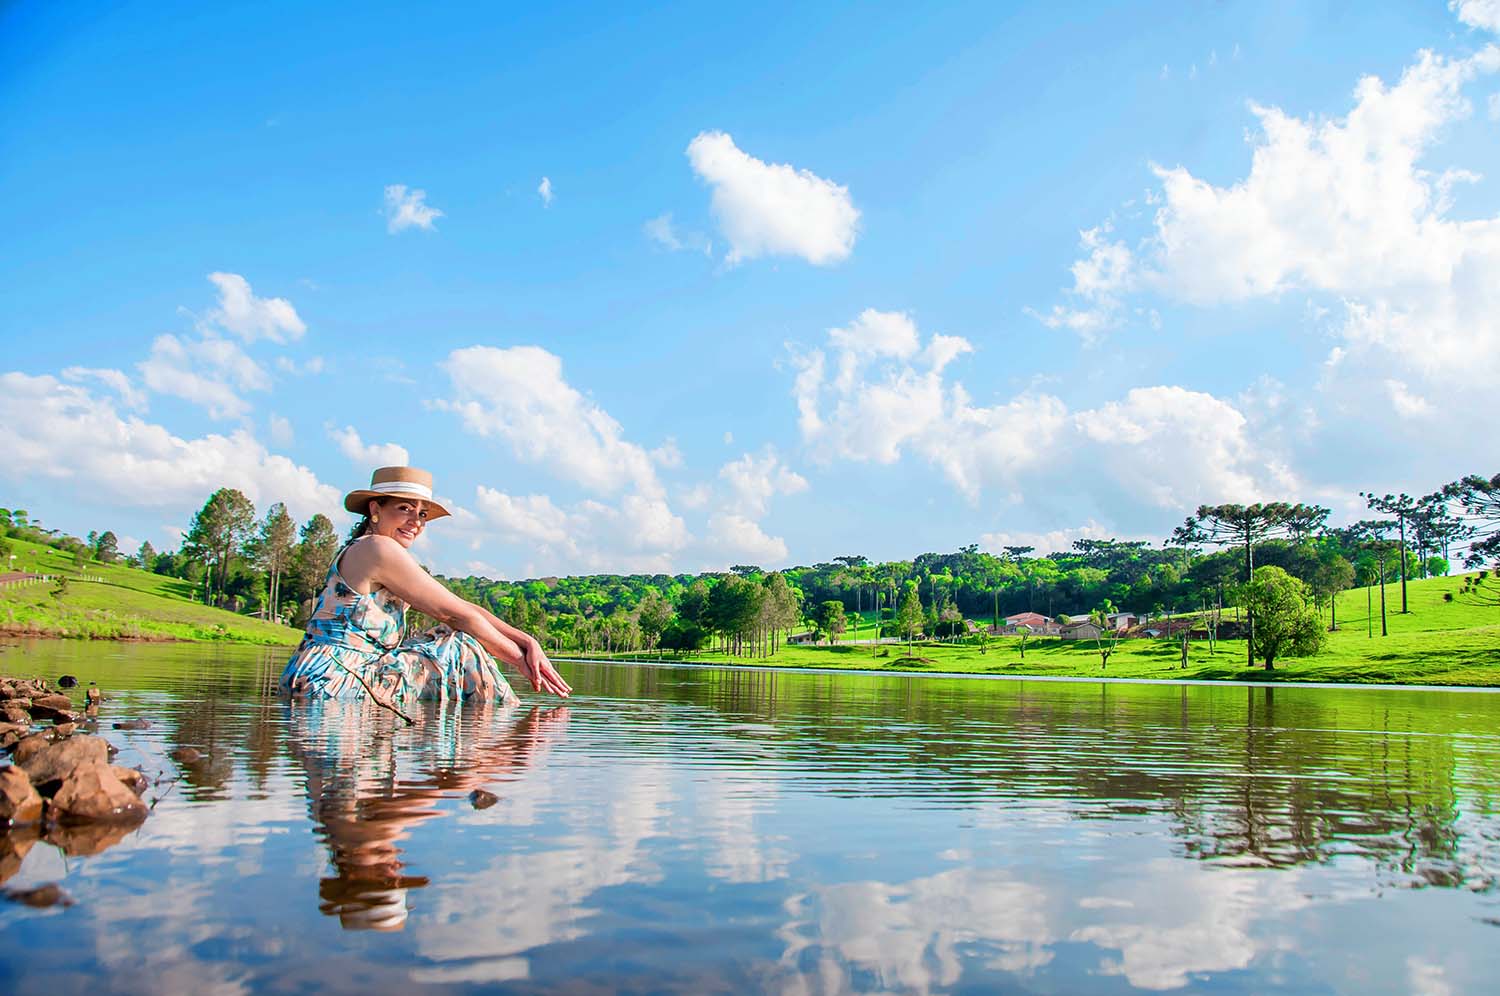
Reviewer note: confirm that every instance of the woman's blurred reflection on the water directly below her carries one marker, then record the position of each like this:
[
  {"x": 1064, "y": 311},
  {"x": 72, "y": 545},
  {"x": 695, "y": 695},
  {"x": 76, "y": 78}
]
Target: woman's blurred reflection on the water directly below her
[{"x": 368, "y": 785}]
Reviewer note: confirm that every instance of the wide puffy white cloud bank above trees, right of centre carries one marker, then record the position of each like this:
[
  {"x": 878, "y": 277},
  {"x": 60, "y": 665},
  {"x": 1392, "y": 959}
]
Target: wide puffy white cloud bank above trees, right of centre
[{"x": 1165, "y": 448}]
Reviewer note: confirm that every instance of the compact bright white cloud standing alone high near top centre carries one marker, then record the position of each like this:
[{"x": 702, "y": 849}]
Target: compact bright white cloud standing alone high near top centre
[{"x": 773, "y": 209}]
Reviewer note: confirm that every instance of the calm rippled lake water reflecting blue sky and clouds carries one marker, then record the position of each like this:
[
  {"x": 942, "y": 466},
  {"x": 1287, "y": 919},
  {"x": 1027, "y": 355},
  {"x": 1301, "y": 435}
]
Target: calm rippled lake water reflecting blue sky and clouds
[{"x": 713, "y": 830}]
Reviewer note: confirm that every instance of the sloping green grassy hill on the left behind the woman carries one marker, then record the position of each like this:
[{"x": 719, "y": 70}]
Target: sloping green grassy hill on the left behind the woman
[{"x": 118, "y": 602}]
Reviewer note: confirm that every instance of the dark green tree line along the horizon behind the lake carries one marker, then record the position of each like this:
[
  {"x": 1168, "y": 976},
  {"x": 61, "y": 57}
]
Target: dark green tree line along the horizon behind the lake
[{"x": 271, "y": 566}]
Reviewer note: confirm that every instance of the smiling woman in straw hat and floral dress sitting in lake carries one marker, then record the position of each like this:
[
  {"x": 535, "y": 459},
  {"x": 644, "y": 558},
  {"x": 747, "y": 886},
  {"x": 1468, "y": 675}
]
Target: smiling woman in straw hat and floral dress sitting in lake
[{"x": 356, "y": 638}]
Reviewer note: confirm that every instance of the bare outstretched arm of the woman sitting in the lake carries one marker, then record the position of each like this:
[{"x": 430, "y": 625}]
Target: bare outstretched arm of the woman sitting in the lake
[{"x": 386, "y": 563}]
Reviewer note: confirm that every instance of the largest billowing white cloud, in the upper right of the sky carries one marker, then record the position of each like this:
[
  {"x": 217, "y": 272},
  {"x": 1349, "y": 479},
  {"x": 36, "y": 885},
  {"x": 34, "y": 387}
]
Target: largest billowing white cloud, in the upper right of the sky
[{"x": 1340, "y": 209}]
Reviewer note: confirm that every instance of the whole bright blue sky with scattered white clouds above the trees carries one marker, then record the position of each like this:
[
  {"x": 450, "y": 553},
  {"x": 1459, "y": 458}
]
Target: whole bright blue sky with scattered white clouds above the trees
[{"x": 800, "y": 283}]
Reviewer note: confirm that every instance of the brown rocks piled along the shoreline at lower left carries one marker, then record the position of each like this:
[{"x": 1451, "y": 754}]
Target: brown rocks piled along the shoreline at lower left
[{"x": 59, "y": 785}]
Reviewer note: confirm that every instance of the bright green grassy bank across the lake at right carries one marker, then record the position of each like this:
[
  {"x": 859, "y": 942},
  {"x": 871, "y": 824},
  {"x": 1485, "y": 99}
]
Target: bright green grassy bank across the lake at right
[{"x": 1438, "y": 643}]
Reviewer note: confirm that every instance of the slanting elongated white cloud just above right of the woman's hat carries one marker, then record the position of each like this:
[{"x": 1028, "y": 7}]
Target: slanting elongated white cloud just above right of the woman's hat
[{"x": 521, "y": 397}]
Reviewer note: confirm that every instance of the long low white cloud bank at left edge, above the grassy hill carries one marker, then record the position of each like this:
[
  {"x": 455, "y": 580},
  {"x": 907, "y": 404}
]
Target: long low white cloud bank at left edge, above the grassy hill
[{"x": 64, "y": 433}]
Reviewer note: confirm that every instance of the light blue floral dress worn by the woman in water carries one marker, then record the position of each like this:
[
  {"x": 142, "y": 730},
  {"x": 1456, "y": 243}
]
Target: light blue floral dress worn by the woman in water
[{"x": 355, "y": 647}]
